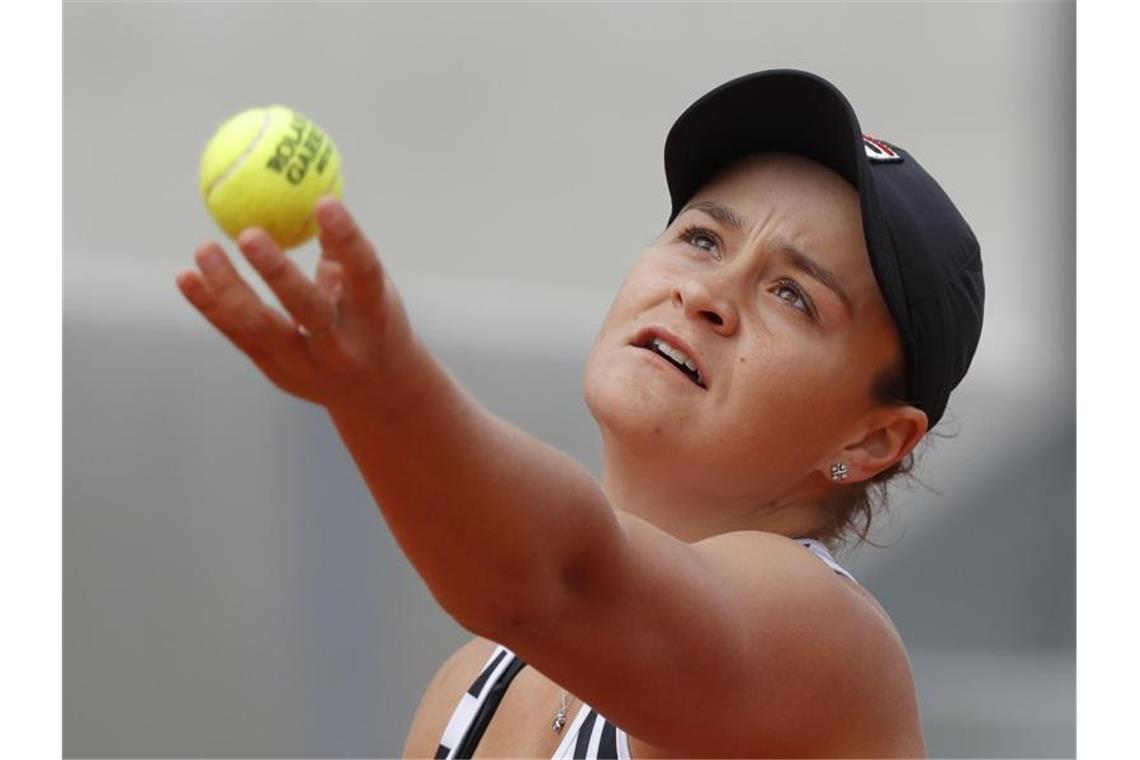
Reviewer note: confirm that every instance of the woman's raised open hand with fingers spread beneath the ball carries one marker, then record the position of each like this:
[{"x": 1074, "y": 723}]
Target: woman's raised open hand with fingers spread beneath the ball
[{"x": 345, "y": 333}]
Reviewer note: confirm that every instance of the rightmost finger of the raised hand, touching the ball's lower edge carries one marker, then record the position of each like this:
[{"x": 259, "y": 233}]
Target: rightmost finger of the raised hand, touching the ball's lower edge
[{"x": 343, "y": 241}]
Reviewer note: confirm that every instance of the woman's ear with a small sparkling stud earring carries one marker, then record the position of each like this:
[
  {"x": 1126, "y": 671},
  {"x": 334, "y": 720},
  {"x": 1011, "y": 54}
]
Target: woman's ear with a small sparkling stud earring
[{"x": 887, "y": 436}]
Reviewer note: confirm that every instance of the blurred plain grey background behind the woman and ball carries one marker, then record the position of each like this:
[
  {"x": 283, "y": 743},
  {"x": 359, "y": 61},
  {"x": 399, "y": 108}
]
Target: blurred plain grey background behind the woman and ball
[{"x": 230, "y": 589}]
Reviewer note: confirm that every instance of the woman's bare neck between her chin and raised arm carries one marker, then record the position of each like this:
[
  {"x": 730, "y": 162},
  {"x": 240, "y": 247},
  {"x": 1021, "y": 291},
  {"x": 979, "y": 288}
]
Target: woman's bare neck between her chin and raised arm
[{"x": 695, "y": 511}]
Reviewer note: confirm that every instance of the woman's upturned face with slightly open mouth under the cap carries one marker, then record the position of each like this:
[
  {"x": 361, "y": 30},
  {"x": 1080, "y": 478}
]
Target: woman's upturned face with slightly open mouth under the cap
[{"x": 786, "y": 363}]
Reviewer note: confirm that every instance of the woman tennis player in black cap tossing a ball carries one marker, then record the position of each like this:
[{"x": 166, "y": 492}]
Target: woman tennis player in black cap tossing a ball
[{"x": 781, "y": 347}]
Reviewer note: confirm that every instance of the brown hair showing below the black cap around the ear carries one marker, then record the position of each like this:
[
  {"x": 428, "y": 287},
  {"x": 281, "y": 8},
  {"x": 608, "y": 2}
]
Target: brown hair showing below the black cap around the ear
[{"x": 852, "y": 509}]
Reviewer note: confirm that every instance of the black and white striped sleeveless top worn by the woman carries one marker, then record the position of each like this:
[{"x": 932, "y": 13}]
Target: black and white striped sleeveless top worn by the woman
[{"x": 589, "y": 736}]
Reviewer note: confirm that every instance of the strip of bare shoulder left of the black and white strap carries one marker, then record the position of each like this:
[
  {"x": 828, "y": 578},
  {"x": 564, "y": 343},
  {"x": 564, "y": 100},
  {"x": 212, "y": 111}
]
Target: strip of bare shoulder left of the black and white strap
[{"x": 453, "y": 679}]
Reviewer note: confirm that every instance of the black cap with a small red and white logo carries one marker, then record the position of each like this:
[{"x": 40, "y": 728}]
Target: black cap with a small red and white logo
[{"x": 925, "y": 257}]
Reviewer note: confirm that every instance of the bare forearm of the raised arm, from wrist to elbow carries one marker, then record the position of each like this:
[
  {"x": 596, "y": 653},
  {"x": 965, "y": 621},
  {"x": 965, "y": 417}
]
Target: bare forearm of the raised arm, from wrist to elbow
[{"x": 498, "y": 522}]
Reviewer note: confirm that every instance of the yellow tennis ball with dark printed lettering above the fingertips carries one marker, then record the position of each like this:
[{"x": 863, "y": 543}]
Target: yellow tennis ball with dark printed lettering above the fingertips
[{"x": 267, "y": 168}]
